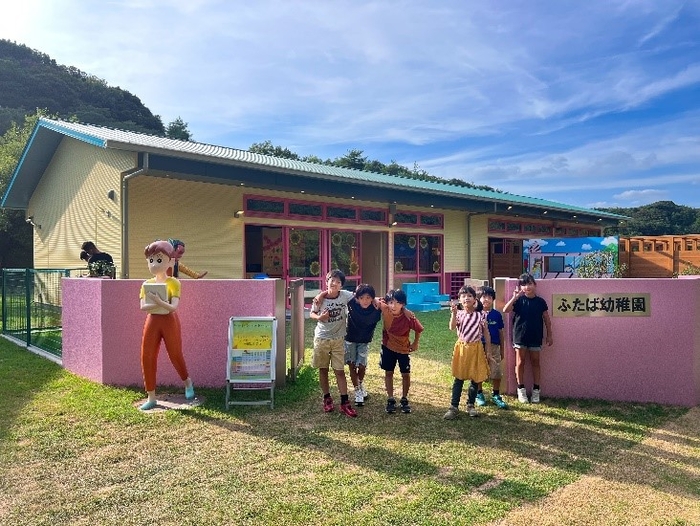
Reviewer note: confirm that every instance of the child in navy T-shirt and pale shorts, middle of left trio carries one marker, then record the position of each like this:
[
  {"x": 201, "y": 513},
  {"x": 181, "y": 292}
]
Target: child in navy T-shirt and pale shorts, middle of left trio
[{"x": 363, "y": 316}]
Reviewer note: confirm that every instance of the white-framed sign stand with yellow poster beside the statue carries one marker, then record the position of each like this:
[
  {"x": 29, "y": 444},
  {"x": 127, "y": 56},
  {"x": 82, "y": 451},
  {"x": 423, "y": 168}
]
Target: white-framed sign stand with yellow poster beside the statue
[{"x": 251, "y": 358}]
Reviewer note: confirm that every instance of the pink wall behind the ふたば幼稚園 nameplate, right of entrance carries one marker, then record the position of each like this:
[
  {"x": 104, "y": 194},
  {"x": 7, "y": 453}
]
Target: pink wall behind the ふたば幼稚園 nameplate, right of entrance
[{"x": 640, "y": 359}]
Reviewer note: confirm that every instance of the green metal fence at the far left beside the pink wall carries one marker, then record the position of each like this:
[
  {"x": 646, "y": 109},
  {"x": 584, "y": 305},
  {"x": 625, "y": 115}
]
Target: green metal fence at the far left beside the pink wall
[{"x": 32, "y": 306}]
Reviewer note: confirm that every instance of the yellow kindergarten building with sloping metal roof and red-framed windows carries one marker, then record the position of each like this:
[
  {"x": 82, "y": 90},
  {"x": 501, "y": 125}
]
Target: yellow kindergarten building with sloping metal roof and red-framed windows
[{"x": 248, "y": 215}]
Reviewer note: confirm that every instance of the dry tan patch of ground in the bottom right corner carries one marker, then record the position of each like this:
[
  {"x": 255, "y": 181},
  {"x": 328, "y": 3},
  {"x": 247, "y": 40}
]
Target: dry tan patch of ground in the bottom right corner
[{"x": 655, "y": 482}]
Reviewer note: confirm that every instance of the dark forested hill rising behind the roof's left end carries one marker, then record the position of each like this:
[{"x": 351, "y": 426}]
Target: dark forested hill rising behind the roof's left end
[{"x": 30, "y": 80}]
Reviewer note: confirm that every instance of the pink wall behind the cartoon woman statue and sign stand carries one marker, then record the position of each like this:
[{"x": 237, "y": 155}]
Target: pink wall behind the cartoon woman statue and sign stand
[{"x": 102, "y": 326}]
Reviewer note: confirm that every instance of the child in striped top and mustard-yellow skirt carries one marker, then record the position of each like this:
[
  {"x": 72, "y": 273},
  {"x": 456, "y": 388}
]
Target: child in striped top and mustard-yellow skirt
[{"x": 468, "y": 359}]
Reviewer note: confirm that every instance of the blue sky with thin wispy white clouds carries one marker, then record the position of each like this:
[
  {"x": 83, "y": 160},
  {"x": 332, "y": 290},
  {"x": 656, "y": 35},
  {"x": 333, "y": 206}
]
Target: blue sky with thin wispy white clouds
[{"x": 593, "y": 104}]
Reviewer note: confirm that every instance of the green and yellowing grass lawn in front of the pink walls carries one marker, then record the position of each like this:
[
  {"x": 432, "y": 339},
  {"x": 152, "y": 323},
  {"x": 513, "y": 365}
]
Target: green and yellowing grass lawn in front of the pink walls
[{"x": 75, "y": 452}]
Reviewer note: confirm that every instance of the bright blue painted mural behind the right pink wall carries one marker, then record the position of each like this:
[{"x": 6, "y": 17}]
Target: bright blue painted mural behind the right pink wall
[{"x": 548, "y": 258}]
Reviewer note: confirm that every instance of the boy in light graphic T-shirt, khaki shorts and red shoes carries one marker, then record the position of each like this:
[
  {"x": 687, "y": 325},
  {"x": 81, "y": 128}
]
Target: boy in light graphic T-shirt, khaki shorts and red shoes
[{"x": 330, "y": 310}]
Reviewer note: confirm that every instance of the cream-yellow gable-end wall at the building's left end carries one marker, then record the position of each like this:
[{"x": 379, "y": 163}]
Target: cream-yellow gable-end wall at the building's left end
[{"x": 71, "y": 204}]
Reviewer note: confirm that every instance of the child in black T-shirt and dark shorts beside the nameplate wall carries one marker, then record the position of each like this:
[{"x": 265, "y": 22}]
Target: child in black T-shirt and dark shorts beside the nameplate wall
[{"x": 529, "y": 311}]
